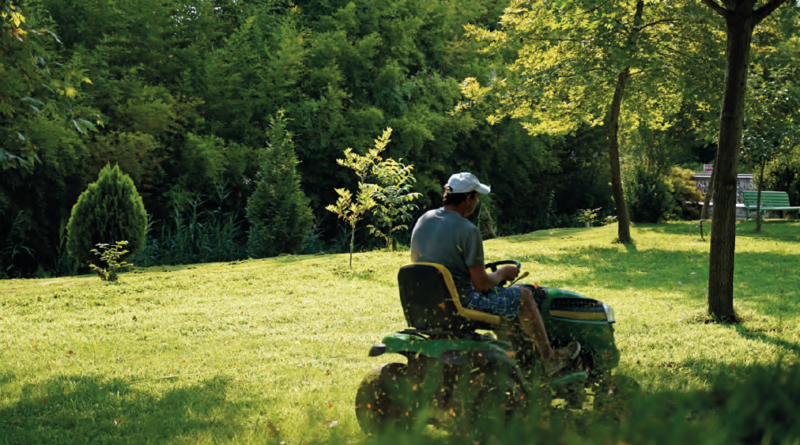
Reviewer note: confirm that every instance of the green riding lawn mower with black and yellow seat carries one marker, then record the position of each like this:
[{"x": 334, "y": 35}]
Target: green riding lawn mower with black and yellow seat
[{"x": 453, "y": 371}]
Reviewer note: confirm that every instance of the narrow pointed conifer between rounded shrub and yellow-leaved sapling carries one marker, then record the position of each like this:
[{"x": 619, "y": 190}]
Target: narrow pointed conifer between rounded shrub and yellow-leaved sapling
[{"x": 278, "y": 211}]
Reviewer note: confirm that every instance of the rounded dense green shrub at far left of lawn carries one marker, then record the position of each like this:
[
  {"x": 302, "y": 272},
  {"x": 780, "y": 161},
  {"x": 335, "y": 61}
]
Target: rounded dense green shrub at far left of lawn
[{"x": 110, "y": 210}]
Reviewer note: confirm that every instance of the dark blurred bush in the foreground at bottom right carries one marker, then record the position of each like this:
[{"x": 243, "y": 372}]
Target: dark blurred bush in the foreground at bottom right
[{"x": 755, "y": 406}]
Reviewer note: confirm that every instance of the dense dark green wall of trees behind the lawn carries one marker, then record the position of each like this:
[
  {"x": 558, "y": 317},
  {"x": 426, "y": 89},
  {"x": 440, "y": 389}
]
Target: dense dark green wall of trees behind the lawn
[{"x": 180, "y": 97}]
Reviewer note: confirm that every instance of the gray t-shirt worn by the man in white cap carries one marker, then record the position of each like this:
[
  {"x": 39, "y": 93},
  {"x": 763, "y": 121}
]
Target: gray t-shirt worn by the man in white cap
[{"x": 444, "y": 237}]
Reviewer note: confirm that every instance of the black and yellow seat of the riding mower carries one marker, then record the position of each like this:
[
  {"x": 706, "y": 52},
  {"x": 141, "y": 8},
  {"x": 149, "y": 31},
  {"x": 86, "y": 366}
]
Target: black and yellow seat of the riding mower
[{"x": 431, "y": 302}]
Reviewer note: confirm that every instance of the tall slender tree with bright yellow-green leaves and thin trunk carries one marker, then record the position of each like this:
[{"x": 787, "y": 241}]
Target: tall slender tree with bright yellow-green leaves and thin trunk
[{"x": 592, "y": 62}]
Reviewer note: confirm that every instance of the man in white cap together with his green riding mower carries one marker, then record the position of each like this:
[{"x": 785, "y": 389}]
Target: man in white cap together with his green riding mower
[{"x": 451, "y": 370}]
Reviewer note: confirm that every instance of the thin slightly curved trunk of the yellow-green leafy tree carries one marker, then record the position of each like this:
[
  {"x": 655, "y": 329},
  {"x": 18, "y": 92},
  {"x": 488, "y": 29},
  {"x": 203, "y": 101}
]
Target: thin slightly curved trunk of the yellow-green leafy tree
[{"x": 612, "y": 131}]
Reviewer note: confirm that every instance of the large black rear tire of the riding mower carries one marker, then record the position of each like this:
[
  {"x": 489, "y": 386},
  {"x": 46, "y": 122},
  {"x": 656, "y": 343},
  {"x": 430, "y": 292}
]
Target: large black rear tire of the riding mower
[{"x": 385, "y": 399}]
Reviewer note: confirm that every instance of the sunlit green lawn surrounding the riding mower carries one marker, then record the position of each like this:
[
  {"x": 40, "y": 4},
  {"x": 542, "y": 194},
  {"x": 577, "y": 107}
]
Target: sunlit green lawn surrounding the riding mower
[{"x": 273, "y": 350}]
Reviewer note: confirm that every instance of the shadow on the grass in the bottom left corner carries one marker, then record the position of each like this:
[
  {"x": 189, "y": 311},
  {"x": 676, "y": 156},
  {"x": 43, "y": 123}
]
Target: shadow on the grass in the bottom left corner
[{"x": 75, "y": 409}]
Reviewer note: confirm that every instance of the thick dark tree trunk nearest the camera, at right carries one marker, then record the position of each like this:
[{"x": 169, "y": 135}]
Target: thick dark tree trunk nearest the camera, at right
[{"x": 723, "y": 230}]
